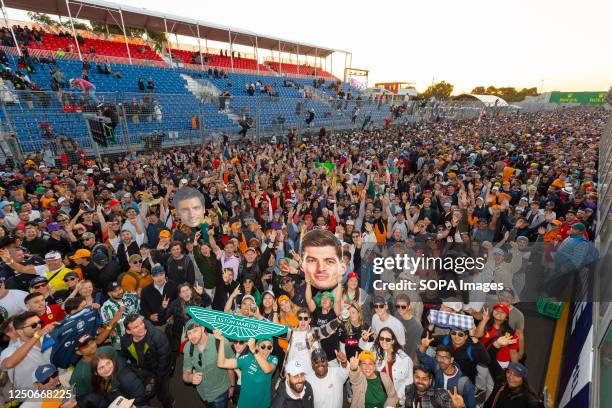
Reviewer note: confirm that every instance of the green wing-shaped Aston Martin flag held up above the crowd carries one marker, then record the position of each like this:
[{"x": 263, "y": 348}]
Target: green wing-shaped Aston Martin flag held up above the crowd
[{"x": 235, "y": 327}]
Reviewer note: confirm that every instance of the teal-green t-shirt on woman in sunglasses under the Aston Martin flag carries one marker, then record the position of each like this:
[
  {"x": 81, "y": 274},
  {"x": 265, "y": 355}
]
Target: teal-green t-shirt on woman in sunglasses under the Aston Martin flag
[{"x": 256, "y": 387}]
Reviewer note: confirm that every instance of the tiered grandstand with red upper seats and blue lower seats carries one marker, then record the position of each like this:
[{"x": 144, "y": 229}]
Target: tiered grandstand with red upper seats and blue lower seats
[{"x": 185, "y": 104}]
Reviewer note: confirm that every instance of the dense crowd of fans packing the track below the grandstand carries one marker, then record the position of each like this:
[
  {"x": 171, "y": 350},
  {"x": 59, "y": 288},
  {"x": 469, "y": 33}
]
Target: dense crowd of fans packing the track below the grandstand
[{"x": 116, "y": 249}]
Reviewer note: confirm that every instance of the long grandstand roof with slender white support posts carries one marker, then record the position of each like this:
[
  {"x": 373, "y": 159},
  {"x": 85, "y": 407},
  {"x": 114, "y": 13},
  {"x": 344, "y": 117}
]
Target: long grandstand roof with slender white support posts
[{"x": 126, "y": 16}]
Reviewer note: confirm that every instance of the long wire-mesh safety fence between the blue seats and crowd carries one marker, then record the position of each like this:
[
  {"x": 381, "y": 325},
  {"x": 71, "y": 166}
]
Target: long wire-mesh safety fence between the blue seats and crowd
[{"x": 106, "y": 123}]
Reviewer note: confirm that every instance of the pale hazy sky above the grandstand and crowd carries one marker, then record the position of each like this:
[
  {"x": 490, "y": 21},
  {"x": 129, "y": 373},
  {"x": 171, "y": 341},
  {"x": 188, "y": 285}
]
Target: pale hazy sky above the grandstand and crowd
[{"x": 567, "y": 44}]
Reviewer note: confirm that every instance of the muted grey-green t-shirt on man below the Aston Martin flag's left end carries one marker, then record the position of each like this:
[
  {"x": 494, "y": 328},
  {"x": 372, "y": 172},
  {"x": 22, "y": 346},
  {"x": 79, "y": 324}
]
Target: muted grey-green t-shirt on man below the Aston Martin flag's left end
[{"x": 215, "y": 381}]
